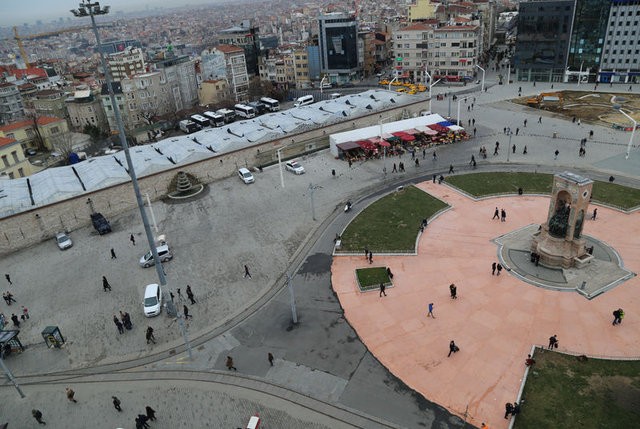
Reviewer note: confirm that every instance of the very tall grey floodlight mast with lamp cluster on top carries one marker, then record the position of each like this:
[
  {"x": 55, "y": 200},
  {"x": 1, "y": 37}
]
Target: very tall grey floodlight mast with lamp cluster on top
[{"x": 90, "y": 9}]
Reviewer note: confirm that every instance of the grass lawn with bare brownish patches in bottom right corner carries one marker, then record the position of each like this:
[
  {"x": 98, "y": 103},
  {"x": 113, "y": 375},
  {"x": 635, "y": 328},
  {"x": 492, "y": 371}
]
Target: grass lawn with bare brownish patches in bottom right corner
[{"x": 562, "y": 392}]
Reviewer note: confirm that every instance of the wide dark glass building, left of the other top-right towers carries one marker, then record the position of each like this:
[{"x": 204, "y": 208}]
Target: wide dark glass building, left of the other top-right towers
[{"x": 542, "y": 45}]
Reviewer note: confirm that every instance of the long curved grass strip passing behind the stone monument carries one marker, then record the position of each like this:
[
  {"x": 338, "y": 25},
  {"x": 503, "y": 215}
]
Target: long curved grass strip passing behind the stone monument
[{"x": 484, "y": 184}]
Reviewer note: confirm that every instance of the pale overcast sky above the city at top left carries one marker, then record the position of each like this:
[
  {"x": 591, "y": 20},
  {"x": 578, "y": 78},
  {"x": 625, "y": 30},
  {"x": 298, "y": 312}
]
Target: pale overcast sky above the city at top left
[{"x": 17, "y": 12}]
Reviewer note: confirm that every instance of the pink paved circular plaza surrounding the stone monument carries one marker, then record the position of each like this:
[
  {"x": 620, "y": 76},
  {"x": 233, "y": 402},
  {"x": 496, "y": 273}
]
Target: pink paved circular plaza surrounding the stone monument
[{"x": 495, "y": 320}]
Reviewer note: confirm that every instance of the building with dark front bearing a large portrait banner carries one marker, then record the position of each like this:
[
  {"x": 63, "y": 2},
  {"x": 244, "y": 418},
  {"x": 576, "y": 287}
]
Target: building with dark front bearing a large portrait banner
[{"x": 338, "y": 40}]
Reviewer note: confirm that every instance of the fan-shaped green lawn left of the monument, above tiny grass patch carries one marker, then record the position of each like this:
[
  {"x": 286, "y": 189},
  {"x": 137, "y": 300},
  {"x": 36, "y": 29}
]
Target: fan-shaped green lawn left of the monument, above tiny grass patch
[{"x": 391, "y": 224}]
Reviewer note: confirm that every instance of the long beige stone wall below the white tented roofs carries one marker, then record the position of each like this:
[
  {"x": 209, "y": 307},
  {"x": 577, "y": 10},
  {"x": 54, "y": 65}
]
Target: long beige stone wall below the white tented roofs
[{"x": 31, "y": 227}]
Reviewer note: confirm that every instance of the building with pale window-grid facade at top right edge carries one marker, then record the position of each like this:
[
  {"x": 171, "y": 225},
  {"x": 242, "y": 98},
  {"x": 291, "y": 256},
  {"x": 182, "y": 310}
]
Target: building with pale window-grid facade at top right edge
[{"x": 621, "y": 54}]
